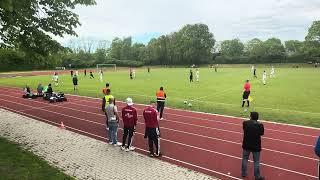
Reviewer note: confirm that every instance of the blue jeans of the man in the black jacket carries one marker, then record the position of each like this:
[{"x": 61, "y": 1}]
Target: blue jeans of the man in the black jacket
[{"x": 256, "y": 163}]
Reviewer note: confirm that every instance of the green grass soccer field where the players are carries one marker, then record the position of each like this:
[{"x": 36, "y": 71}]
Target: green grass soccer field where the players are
[{"x": 291, "y": 97}]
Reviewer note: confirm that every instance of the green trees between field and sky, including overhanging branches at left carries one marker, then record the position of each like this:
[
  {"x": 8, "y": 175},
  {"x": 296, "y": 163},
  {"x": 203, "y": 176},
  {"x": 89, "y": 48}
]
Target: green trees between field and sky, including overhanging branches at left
[{"x": 25, "y": 43}]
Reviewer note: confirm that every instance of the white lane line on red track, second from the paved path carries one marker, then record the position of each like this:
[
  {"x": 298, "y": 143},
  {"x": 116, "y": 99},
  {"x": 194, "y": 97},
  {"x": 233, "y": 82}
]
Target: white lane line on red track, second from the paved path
[{"x": 191, "y": 146}]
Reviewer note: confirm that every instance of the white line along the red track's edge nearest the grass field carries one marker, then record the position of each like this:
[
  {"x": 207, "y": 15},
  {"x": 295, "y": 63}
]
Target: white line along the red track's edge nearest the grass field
[{"x": 197, "y": 112}]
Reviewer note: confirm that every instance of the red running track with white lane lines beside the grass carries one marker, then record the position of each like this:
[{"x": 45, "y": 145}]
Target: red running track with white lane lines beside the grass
[{"x": 203, "y": 142}]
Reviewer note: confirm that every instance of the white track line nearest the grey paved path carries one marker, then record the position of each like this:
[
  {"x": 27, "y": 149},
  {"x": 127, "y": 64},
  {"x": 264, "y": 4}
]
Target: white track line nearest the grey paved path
[{"x": 163, "y": 156}]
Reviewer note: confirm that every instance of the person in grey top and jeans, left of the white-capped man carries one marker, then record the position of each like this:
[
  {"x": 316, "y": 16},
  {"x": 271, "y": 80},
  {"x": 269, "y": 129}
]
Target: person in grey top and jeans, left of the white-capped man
[{"x": 113, "y": 122}]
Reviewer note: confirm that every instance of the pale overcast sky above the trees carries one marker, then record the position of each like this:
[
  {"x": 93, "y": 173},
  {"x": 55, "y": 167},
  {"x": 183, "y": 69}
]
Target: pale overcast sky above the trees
[{"x": 227, "y": 19}]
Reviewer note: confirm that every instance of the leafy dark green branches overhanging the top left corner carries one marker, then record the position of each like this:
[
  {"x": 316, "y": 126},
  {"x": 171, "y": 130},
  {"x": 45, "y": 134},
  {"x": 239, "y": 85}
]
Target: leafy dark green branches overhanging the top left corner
[{"x": 26, "y": 24}]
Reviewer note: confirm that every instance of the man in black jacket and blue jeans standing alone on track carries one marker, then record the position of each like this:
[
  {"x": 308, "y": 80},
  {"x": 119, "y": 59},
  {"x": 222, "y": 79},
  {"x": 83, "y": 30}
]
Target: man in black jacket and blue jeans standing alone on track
[{"x": 253, "y": 130}]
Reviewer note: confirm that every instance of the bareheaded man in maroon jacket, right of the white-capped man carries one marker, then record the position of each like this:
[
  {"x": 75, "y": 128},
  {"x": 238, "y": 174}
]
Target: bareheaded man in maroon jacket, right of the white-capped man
[{"x": 152, "y": 132}]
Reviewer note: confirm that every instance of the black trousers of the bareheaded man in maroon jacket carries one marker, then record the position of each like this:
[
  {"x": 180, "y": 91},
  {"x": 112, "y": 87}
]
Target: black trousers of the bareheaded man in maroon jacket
[{"x": 153, "y": 135}]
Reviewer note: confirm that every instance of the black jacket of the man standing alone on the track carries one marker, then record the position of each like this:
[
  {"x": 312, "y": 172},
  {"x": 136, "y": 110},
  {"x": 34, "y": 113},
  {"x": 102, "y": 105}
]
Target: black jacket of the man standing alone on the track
[{"x": 252, "y": 132}]
